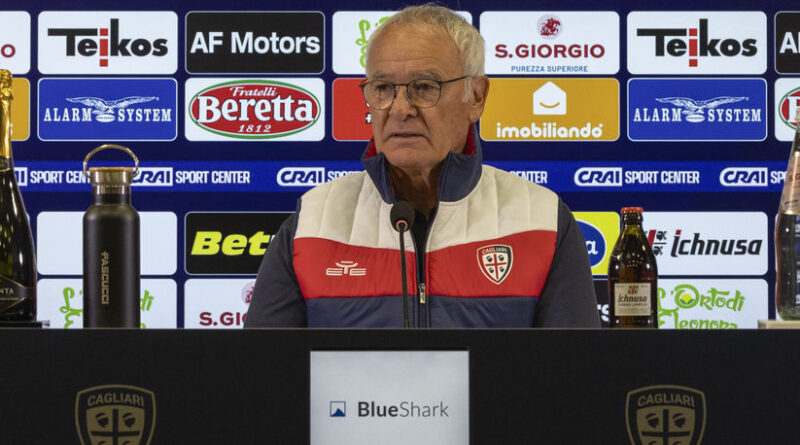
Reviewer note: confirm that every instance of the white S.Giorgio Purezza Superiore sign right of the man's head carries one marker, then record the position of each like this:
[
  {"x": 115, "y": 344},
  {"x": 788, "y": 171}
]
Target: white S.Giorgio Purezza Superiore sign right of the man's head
[{"x": 551, "y": 43}]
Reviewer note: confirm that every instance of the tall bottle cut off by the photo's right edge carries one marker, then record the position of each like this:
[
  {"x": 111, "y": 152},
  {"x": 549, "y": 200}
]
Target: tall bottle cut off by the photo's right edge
[{"x": 787, "y": 237}]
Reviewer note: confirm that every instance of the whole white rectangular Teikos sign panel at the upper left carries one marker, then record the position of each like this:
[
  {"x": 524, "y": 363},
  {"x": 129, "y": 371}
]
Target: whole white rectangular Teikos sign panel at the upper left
[{"x": 113, "y": 42}]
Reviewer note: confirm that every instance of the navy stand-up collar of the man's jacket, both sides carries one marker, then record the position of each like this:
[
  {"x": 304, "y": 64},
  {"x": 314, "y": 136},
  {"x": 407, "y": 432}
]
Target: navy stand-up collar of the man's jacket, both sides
[{"x": 460, "y": 171}]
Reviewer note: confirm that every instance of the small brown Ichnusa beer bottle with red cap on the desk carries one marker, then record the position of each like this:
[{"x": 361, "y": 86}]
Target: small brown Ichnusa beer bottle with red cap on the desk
[{"x": 632, "y": 276}]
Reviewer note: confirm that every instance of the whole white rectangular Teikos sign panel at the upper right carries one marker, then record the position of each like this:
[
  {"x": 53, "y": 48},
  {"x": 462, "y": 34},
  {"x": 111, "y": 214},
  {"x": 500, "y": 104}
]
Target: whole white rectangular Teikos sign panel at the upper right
[{"x": 692, "y": 42}]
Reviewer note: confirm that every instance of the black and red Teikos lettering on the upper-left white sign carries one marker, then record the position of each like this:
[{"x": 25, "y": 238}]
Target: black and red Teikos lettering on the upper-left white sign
[{"x": 84, "y": 42}]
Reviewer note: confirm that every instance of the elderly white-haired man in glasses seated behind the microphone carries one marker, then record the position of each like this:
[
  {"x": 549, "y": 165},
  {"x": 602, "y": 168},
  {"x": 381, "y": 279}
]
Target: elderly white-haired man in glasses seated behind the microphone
[{"x": 487, "y": 248}]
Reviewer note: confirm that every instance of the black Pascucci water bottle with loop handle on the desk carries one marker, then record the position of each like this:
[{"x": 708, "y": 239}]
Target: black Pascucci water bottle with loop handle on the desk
[{"x": 111, "y": 248}]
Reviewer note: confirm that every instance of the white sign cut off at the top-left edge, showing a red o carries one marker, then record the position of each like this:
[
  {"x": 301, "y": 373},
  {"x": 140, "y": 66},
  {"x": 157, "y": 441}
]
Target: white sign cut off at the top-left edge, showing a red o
[{"x": 15, "y": 41}]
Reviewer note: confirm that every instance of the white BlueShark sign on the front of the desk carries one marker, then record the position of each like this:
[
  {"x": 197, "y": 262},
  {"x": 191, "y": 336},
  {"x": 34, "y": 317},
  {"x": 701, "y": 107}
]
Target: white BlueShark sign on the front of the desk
[{"x": 389, "y": 397}]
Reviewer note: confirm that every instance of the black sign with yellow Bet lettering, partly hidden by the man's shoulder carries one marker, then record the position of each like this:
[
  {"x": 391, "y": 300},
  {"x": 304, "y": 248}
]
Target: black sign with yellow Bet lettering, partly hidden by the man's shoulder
[{"x": 229, "y": 242}]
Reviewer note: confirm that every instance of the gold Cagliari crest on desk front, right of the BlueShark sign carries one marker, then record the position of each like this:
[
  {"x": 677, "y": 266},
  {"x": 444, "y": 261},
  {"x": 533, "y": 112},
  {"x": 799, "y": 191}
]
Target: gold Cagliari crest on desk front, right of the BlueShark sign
[{"x": 665, "y": 415}]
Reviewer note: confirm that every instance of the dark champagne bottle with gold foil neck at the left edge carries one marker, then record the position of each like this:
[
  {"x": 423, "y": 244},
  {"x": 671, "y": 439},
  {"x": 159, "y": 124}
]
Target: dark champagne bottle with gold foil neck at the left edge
[{"x": 17, "y": 258}]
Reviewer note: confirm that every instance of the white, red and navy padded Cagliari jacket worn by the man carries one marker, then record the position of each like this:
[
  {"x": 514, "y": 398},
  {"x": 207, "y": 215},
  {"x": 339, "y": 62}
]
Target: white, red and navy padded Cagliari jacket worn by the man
[{"x": 501, "y": 252}]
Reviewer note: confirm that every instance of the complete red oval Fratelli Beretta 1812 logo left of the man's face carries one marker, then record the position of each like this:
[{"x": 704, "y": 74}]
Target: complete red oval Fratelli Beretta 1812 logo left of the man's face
[{"x": 254, "y": 109}]
